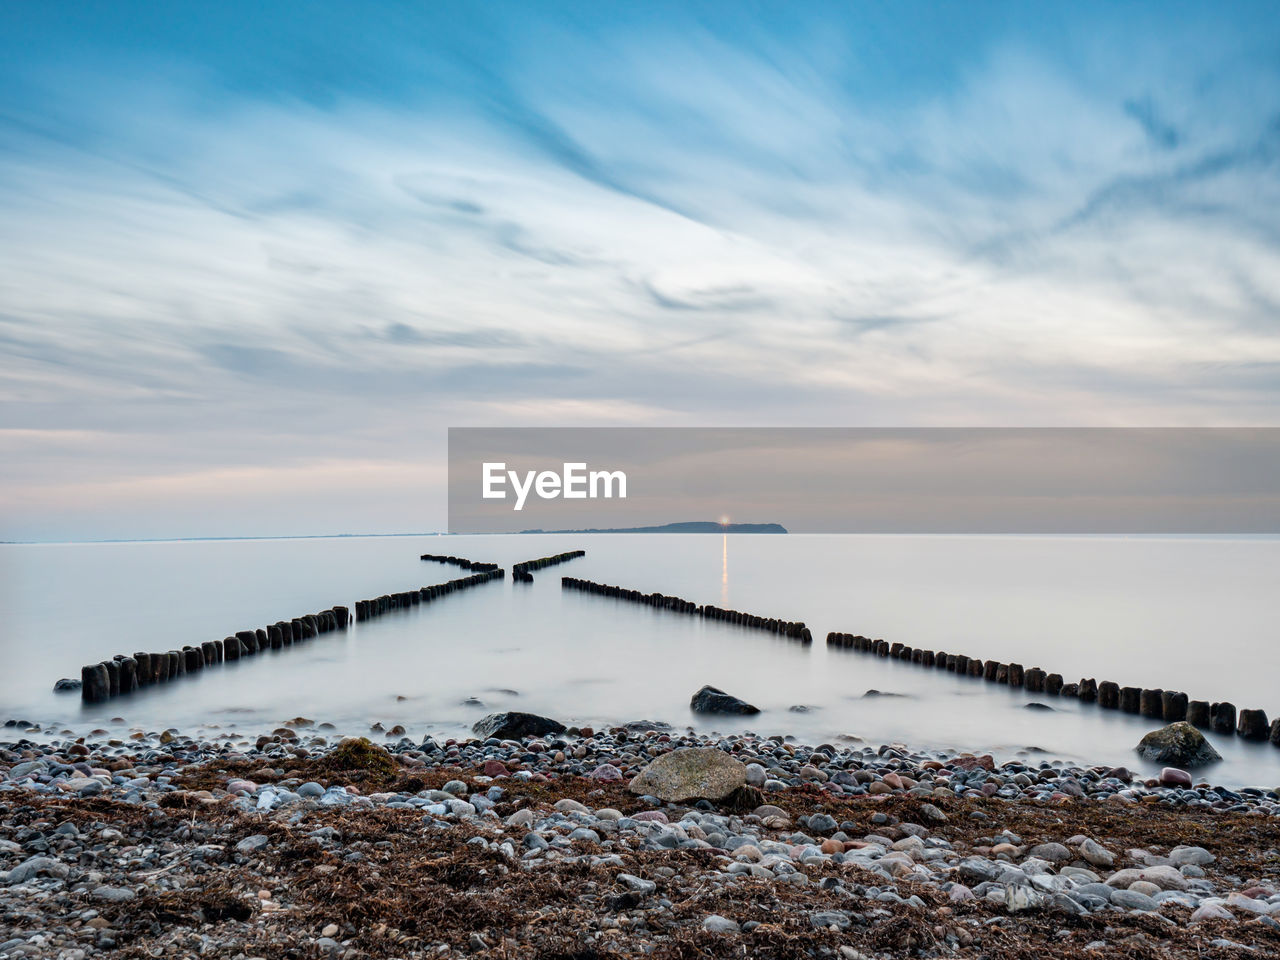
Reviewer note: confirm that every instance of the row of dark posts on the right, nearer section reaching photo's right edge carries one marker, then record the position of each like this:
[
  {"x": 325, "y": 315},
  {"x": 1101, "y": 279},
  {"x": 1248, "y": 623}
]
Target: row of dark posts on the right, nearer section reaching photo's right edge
[{"x": 1154, "y": 703}]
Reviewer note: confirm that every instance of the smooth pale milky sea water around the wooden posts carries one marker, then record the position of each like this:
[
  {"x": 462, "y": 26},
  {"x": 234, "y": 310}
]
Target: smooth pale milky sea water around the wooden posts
[{"x": 1196, "y": 615}]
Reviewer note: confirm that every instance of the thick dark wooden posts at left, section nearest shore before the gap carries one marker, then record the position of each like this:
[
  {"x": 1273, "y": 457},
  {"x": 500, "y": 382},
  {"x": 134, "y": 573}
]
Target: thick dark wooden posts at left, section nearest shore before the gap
[{"x": 122, "y": 675}]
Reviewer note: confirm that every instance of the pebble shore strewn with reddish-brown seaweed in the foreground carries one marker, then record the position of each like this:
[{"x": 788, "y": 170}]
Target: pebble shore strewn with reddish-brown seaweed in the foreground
[{"x": 300, "y": 844}]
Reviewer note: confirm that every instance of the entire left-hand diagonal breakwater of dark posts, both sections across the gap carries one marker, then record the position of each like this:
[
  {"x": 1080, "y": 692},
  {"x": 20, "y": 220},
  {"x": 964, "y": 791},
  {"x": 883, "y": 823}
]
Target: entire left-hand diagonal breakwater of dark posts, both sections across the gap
[{"x": 124, "y": 675}]
